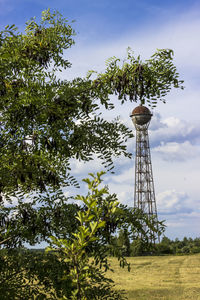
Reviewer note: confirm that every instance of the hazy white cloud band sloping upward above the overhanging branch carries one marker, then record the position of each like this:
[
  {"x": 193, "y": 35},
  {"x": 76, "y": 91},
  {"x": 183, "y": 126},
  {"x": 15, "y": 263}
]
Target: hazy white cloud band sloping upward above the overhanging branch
[{"x": 180, "y": 34}]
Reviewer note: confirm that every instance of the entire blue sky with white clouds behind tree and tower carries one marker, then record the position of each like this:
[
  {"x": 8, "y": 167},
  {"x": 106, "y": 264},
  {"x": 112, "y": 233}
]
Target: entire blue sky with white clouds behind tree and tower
[{"x": 107, "y": 28}]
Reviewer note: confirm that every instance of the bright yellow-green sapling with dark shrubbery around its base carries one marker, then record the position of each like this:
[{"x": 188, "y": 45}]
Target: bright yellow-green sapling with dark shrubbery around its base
[{"x": 78, "y": 270}]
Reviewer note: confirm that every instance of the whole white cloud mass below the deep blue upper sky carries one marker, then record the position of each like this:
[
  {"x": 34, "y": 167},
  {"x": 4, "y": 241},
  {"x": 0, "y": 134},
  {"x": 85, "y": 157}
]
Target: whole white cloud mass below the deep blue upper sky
[{"x": 174, "y": 129}]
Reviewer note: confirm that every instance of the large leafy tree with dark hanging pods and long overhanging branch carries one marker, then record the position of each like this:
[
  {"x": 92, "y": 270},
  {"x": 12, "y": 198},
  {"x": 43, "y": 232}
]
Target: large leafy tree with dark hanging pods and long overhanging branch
[{"x": 46, "y": 121}]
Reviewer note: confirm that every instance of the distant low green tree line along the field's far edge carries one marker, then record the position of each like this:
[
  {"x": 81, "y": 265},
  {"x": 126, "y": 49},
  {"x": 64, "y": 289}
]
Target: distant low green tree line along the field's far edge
[{"x": 138, "y": 247}]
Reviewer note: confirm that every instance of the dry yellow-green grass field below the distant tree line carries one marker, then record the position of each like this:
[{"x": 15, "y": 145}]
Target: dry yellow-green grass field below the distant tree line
[{"x": 159, "y": 277}]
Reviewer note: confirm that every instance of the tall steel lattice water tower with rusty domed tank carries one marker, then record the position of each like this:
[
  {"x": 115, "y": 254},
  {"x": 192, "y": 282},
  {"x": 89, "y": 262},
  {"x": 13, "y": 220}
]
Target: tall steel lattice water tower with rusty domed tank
[{"x": 144, "y": 194}]
